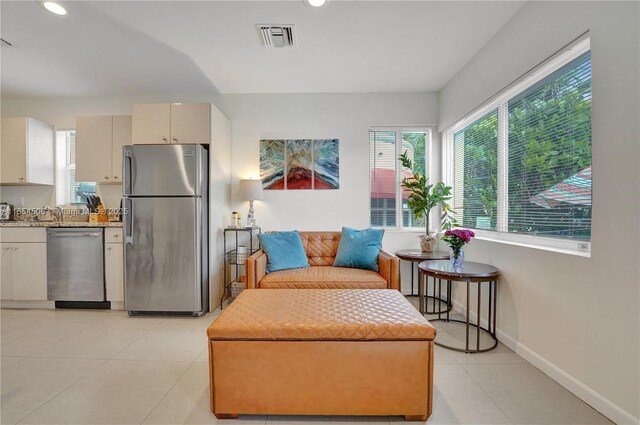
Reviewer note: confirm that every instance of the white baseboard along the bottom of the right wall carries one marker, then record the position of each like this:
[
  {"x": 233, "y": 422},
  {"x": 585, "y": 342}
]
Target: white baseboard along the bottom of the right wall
[{"x": 594, "y": 399}]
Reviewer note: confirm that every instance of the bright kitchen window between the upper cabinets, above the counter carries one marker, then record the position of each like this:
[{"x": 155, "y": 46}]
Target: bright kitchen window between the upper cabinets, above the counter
[{"x": 68, "y": 191}]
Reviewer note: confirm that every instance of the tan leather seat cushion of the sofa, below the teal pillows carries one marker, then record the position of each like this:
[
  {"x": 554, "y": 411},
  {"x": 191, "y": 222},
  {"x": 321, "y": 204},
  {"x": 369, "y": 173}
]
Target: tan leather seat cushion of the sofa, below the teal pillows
[{"x": 324, "y": 277}]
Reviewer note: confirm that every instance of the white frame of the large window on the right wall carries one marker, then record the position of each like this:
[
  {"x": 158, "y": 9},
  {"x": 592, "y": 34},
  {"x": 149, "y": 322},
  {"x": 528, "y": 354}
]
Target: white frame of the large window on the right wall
[{"x": 500, "y": 102}]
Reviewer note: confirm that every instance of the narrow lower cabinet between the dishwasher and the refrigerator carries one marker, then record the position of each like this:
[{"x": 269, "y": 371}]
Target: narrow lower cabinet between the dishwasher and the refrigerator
[{"x": 114, "y": 267}]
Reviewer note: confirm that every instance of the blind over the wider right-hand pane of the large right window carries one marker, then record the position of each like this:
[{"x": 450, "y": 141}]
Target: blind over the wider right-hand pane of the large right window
[{"x": 549, "y": 164}]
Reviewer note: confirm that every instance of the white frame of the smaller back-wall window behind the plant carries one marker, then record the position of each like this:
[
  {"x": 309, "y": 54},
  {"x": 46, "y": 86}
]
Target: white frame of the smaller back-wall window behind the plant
[{"x": 398, "y": 130}]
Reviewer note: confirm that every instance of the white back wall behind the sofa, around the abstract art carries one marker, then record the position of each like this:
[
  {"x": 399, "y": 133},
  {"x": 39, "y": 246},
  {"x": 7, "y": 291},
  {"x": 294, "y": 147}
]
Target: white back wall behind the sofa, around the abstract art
[{"x": 343, "y": 116}]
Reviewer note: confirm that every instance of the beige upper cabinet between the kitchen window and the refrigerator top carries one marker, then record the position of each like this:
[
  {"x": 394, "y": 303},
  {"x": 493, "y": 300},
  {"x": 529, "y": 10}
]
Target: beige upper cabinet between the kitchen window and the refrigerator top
[{"x": 99, "y": 141}]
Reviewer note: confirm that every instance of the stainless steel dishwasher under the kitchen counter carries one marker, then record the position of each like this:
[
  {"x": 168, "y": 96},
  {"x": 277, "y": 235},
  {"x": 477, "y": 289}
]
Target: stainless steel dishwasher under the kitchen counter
[{"x": 75, "y": 267}]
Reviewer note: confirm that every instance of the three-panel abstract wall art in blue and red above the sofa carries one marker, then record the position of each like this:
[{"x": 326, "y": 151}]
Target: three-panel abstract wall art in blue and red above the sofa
[{"x": 296, "y": 164}]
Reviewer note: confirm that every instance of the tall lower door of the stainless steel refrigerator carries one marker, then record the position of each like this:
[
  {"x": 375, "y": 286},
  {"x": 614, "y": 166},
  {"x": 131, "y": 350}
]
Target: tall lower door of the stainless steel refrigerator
[{"x": 162, "y": 255}]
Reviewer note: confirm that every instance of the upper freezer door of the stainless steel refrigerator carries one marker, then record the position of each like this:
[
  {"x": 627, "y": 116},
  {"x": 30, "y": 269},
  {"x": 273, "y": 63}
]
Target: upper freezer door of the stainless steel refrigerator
[{"x": 162, "y": 170}]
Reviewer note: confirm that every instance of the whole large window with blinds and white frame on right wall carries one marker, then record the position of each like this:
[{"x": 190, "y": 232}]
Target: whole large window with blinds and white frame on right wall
[{"x": 520, "y": 165}]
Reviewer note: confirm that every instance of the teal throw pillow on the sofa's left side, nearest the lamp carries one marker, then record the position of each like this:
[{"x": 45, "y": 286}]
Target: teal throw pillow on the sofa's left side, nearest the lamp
[{"x": 284, "y": 250}]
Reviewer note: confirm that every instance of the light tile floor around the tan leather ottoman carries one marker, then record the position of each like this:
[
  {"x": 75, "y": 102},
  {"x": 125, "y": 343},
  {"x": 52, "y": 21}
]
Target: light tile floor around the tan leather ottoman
[{"x": 103, "y": 367}]
